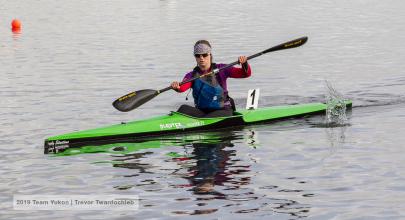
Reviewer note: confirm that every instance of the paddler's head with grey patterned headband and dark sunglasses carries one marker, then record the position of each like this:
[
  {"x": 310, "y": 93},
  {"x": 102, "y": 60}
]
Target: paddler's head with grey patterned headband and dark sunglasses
[{"x": 202, "y": 54}]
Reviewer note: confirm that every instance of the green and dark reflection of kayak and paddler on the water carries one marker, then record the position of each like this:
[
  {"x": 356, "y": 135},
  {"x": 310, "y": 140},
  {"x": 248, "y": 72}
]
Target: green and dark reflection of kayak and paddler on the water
[{"x": 210, "y": 153}]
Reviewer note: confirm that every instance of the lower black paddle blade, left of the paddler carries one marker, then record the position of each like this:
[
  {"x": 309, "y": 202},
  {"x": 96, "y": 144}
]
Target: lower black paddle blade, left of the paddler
[{"x": 133, "y": 100}]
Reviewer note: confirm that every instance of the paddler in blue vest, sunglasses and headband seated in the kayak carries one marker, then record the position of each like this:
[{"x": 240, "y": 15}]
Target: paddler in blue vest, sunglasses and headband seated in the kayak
[{"x": 210, "y": 93}]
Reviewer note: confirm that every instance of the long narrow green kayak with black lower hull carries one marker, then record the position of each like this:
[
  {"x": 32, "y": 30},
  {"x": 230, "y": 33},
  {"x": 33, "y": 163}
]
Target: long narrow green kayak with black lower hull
[{"x": 176, "y": 122}]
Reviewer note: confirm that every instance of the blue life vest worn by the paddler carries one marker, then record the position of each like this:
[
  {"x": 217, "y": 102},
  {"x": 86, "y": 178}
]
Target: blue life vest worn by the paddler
[{"x": 208, "y": 94}]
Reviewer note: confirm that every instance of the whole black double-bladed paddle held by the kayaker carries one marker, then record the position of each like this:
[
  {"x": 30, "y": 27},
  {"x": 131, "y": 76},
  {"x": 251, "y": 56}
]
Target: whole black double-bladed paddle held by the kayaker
[{"x": 135, "y": 99}]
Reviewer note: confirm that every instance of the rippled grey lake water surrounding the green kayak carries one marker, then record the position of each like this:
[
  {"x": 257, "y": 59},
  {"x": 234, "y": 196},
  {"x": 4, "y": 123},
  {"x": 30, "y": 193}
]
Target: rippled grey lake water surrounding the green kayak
[{"x": 73, "y": 58}]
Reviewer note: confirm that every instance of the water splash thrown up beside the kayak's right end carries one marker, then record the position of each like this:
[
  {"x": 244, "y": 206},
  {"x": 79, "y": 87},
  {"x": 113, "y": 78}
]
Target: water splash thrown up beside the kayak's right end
[{"x": 336, "y": 107}]
